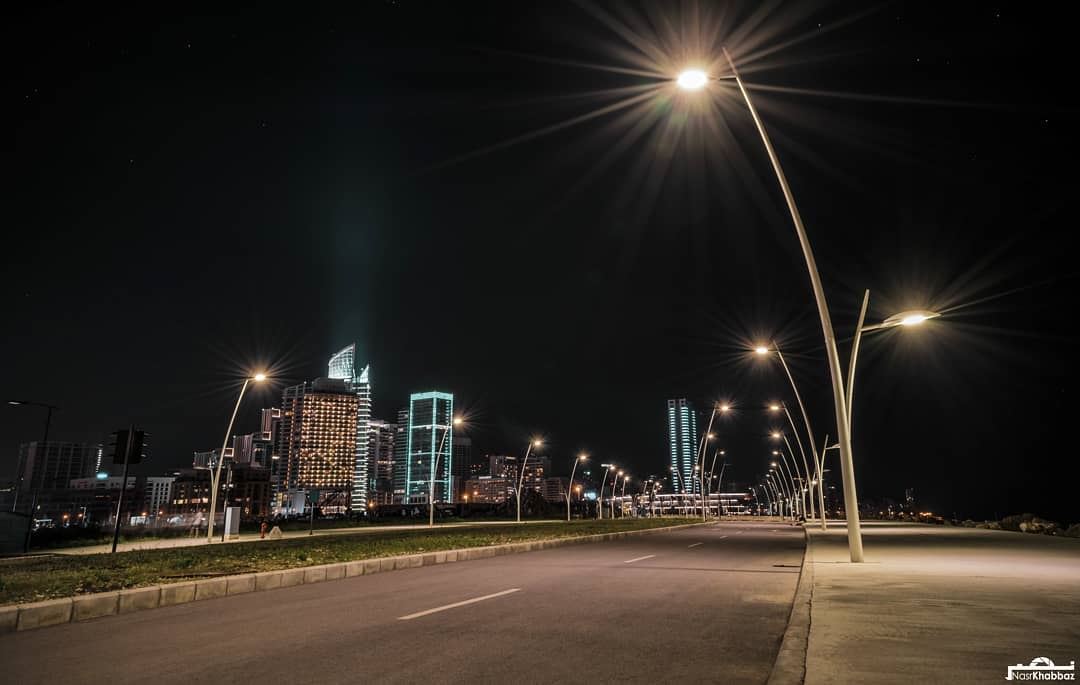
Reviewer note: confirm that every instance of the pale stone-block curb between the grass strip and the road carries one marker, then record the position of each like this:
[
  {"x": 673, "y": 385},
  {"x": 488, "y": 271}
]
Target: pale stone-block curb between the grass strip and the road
[{"x": 20, "y": 617}]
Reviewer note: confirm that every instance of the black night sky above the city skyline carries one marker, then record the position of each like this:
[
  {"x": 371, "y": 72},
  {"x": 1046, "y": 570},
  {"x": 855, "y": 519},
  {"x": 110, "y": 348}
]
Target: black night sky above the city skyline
[{"x": 196, "y": 196}]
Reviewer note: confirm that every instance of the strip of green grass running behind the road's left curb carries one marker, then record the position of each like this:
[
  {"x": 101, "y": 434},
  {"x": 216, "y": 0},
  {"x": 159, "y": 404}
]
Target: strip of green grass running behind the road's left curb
[{"x": 38, "y": 579}]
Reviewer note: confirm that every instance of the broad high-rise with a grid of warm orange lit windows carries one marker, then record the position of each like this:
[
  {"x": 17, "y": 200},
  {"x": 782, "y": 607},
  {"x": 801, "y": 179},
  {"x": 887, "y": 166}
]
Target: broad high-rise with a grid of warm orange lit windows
[{"x": 317, "y": 438}]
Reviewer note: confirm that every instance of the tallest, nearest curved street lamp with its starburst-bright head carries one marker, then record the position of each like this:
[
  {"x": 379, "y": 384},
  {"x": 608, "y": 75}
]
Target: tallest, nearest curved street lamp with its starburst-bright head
[{"x": 691, "y": 82}]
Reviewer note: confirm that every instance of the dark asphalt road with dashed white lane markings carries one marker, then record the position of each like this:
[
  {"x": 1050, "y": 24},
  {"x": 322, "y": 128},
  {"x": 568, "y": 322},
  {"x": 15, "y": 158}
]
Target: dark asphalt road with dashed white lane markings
[{"x": 709, "y": 603}]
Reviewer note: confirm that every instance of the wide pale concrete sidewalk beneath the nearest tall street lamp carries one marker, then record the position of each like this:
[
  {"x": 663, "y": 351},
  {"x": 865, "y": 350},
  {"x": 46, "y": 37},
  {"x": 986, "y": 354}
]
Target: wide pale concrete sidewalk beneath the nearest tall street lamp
[{"x": 940, "y": 605}]
